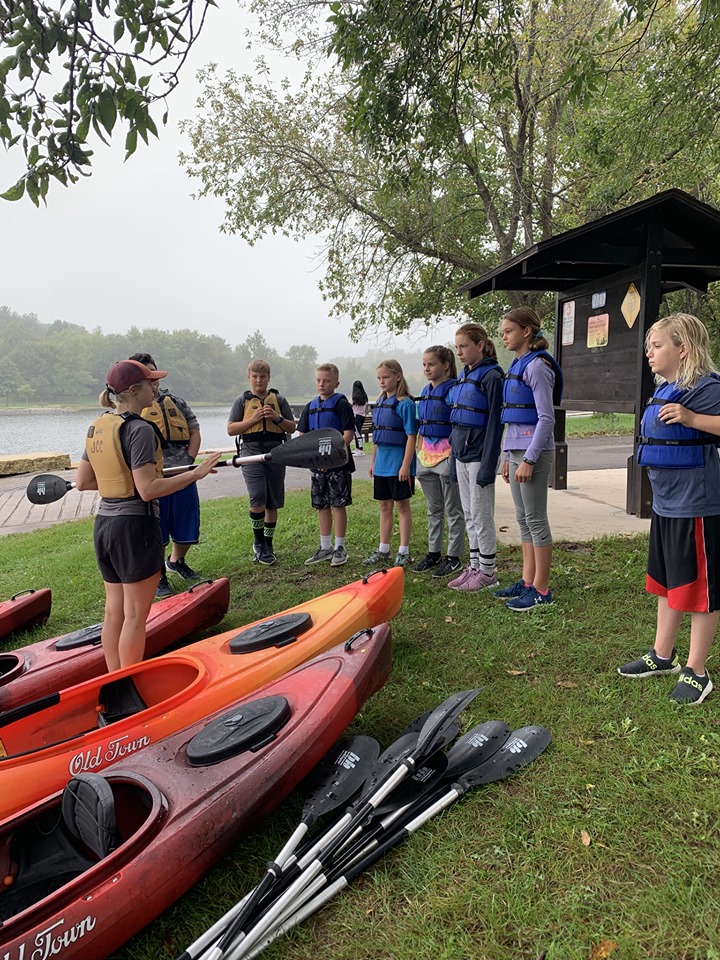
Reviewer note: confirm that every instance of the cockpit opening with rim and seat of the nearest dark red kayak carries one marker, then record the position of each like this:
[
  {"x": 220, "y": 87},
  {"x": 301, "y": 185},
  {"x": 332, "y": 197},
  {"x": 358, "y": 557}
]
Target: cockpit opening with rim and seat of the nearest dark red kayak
[{"x": 53, "y": 845}]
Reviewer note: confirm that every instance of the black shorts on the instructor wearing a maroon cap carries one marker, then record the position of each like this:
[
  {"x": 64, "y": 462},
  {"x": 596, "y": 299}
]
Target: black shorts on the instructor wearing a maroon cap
[{"x": 128, "y": 549}]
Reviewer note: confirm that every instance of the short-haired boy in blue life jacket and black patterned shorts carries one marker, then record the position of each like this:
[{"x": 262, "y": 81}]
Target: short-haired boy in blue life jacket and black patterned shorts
[{"x": 330, "y": 490}]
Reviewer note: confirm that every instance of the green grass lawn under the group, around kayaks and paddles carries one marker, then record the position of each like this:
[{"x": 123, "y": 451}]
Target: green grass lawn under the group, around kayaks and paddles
[{"x": 505, "y": 874}]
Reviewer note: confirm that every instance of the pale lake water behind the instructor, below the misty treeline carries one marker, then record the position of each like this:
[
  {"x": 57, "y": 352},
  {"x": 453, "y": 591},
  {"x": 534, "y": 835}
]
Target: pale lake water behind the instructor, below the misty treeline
[{"x": 63, "y": 431}]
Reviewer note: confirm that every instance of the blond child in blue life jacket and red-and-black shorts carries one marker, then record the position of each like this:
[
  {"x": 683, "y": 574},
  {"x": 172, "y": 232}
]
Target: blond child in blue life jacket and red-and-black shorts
[{"x": 678, "y": 445}]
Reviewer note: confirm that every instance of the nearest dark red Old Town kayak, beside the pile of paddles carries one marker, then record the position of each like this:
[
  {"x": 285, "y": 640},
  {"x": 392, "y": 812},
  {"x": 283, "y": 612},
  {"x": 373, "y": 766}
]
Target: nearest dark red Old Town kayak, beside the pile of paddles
[{"x": 87, "y": 868}]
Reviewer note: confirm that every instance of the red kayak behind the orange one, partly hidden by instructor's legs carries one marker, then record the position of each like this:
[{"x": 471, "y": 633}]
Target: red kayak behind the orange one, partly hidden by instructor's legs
[{"x": 40, "y": 668}]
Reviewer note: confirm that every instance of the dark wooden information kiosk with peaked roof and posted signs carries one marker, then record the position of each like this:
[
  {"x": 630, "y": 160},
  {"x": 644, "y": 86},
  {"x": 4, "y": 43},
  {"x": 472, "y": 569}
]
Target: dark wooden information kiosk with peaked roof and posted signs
[{"x": 610, "y": 276}]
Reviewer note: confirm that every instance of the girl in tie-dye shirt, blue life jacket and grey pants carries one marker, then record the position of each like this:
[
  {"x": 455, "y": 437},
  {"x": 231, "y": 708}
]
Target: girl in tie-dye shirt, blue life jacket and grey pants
[{"x": 433, "y": 472}]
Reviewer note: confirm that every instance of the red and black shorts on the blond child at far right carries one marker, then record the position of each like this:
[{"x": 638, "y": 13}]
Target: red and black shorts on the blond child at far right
[{"x": 684, "y": 562}]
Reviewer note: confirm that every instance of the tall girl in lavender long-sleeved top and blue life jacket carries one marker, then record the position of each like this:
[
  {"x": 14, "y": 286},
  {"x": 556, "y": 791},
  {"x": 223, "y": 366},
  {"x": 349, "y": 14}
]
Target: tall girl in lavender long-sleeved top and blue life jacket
[{"x": 532, "y": 389}]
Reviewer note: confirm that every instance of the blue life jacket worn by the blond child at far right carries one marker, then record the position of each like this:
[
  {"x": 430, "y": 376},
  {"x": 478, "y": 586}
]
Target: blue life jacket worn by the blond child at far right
[{"x": 671, "y": 446}]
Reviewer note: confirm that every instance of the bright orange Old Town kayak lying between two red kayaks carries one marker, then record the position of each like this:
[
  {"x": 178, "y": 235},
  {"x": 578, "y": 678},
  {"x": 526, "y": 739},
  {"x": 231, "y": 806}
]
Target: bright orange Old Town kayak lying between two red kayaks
[{"x": 95, "y": 724}]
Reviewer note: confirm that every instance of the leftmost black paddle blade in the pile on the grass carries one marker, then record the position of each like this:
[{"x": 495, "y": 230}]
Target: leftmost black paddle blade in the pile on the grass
[{"x": 340, "y": 773}]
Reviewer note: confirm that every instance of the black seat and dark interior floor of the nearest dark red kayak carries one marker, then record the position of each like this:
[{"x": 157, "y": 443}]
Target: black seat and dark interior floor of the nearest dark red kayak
[{"x": 43, "y": 854}]
